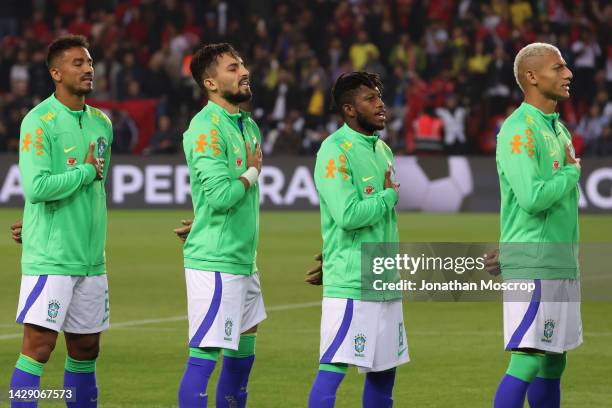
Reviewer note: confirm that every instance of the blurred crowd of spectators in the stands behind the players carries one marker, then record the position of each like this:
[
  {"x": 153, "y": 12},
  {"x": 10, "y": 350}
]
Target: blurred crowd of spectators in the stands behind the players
[{"x": 446, "y": 65}]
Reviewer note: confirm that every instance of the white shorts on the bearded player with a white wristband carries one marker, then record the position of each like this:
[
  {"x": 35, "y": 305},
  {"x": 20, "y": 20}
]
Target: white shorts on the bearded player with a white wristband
[{"x": 221, "y": 306}]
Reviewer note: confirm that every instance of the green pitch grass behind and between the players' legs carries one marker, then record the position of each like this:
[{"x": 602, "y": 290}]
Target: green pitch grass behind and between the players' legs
[{"x": 456, "y": 348}]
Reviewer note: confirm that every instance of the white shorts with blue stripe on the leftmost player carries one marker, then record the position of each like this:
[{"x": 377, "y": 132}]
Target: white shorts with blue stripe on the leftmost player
[{"x": 73, "y": 304}]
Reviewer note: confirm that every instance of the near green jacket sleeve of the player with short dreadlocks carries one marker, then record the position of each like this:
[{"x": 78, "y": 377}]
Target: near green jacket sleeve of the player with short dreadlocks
[{"x": 339, "y": 194}]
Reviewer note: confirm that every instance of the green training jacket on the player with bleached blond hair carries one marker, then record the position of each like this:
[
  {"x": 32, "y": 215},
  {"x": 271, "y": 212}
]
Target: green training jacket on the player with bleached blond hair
[{"x": 539, "y": 197}]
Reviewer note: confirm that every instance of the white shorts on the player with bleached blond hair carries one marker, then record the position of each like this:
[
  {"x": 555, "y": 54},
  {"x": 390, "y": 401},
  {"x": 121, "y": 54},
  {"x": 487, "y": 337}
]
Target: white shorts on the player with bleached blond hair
[{"x": 546, "y": 322}]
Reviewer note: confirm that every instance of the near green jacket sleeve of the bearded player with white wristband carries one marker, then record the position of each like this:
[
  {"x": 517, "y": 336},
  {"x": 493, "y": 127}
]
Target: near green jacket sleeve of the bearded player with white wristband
[{"x": 209, "y": 158}]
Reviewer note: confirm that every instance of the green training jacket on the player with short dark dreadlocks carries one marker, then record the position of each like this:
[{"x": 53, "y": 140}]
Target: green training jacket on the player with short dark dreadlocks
[{"x": 355, "y": 209}]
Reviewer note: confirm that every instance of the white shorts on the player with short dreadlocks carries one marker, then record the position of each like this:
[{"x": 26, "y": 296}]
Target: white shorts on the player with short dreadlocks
[{"x": 369, "y": 335}]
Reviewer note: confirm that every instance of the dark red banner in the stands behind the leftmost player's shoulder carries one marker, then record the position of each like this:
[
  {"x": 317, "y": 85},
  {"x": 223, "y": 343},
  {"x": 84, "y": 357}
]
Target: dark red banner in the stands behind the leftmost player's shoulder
[{"x": 141, "y": 111}]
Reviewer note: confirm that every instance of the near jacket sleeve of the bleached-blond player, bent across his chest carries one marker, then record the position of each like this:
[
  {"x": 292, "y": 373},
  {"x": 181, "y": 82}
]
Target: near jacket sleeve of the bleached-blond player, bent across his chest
[{"x": 519, "y": 157}]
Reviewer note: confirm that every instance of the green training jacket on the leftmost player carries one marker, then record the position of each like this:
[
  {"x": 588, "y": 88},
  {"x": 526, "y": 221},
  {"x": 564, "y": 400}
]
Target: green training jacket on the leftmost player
[{"x": 64, "y": 218}]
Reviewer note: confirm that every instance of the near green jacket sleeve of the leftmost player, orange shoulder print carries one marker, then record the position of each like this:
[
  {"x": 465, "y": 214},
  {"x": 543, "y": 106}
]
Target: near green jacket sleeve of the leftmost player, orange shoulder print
[{"x": 35, "y": 165}]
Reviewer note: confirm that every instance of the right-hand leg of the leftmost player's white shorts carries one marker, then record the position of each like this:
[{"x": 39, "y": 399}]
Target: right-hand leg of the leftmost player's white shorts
[{"x": 89, "y": 310}]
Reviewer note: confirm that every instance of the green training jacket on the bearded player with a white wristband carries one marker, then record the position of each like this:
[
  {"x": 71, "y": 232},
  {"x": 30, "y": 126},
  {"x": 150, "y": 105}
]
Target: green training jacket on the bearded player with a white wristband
[{"x": 225, "y": 228}]
